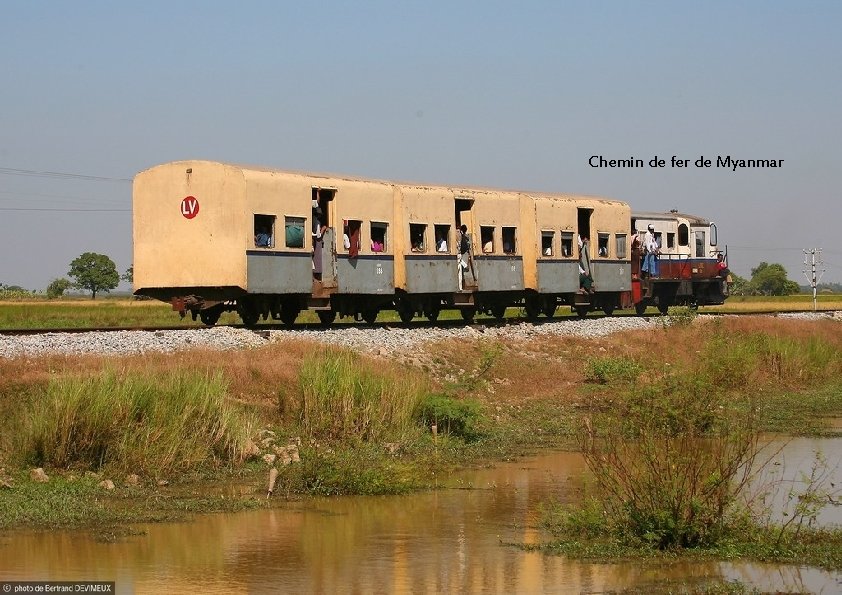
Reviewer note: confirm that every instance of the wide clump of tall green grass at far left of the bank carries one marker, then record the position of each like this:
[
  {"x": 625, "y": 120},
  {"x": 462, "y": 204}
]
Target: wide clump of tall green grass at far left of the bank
[{"x": 138, "y": 422}]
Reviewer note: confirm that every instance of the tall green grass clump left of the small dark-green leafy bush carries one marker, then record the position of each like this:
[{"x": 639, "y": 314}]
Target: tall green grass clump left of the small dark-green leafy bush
[{"x": 344, "y": 396}]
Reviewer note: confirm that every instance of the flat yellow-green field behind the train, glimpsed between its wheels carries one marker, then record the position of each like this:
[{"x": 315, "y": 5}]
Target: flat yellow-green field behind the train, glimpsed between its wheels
[{"x": 127, "y": 312}]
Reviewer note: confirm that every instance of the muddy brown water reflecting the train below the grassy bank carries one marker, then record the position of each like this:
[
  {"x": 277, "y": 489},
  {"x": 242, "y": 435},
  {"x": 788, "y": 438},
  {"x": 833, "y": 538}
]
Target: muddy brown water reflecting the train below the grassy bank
[{"x": 450, "y": 540}]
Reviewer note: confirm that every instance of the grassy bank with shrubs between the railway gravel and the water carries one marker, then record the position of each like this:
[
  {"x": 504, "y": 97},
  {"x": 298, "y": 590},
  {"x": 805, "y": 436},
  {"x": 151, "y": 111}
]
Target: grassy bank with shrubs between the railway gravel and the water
[{"x": 360, "y": 425}]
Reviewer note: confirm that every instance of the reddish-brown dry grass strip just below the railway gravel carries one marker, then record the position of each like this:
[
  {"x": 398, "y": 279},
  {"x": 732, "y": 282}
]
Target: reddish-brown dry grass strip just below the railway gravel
[{"x": 519, "y": 371}]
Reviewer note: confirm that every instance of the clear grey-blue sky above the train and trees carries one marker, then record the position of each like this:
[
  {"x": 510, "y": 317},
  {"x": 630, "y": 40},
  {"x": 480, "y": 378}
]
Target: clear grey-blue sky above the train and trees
[{"x": 513, "y": 95}]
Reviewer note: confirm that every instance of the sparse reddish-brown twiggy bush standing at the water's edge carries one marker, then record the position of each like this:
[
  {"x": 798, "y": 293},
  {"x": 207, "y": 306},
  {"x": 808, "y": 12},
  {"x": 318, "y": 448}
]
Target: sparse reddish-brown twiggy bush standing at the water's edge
[{"x": 669, "y": 465}]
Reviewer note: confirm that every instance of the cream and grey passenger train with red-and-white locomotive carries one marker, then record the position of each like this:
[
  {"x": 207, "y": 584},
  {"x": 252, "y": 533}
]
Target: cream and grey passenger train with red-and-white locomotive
[{"x": 212, "y": 237}]
